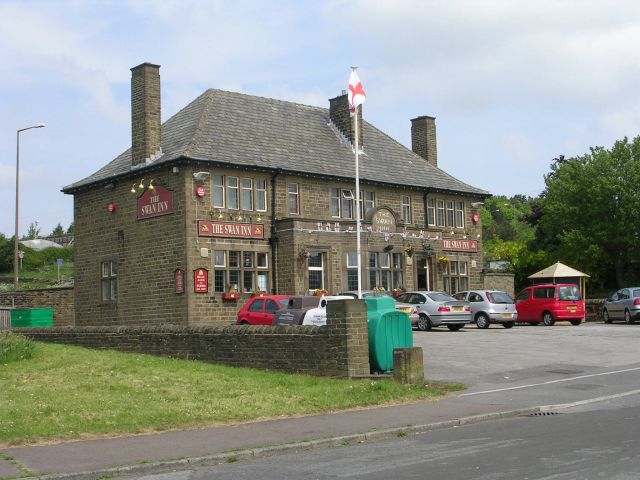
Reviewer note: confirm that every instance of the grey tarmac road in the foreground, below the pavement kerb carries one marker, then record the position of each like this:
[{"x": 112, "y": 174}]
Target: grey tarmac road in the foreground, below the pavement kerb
[{"x": 585, "y": 444}]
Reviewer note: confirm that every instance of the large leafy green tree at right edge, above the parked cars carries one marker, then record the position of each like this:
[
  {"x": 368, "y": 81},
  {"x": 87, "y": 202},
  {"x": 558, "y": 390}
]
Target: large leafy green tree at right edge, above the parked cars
[{"x": 590, "y": 208}]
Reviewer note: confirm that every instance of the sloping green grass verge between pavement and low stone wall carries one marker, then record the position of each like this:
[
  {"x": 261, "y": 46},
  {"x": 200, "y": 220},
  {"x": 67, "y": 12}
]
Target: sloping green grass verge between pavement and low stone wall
[{"x": 66, "y": 392}]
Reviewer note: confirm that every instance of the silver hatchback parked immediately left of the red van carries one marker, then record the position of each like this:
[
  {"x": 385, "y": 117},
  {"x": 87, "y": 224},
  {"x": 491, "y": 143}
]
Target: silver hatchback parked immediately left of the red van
[{"x": 490, "y": 306}]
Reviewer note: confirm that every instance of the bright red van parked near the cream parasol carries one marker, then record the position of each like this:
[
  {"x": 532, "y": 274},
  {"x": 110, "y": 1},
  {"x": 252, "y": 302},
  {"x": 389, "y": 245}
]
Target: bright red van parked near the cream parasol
[{"x": 550, "y": 303}]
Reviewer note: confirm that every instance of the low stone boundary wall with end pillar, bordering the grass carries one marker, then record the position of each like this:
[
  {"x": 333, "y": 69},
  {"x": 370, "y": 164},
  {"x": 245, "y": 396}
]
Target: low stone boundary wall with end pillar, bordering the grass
[{"x": 338, "y": 349}]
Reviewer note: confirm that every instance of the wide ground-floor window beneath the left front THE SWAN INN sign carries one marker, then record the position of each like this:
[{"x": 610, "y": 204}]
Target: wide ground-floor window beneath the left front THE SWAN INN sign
[{"x": 246, "y": 271}]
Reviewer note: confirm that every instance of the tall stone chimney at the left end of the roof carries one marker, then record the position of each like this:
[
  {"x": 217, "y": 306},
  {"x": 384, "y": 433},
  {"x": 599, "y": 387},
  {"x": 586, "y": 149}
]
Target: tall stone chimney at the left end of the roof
[{"x": 145, "y": 112}]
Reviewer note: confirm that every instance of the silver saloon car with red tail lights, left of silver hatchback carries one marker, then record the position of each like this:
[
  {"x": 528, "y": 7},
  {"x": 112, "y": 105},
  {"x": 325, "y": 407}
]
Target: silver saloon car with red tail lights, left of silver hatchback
[{"x": 428, "y": 309}]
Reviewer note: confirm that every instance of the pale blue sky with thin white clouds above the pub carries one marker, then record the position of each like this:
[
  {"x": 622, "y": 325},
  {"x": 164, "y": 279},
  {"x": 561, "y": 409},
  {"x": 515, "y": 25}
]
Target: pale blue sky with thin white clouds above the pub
[{"x": 512, "y": 84}]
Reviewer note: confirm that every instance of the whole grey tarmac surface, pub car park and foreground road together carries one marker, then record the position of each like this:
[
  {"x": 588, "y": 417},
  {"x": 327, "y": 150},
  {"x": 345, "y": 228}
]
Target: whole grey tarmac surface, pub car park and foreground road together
[{"x": 589, "y": 376}]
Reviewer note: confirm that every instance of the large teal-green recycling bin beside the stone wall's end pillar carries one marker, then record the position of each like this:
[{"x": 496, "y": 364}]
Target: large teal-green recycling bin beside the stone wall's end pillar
[{"x": 388, "y": 329}]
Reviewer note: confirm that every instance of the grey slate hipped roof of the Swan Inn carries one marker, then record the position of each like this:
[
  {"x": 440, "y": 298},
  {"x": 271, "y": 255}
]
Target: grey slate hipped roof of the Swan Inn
[{"x": 248, "y": 131}]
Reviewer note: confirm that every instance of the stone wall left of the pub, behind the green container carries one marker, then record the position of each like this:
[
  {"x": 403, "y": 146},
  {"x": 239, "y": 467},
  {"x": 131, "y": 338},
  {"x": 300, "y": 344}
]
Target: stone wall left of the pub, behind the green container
[{"x": 60, "y": 299}]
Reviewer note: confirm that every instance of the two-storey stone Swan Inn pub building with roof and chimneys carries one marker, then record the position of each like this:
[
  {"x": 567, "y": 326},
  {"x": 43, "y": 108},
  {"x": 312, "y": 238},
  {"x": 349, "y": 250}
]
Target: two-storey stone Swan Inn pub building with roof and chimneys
[{"x": 236, "y": 194}]
